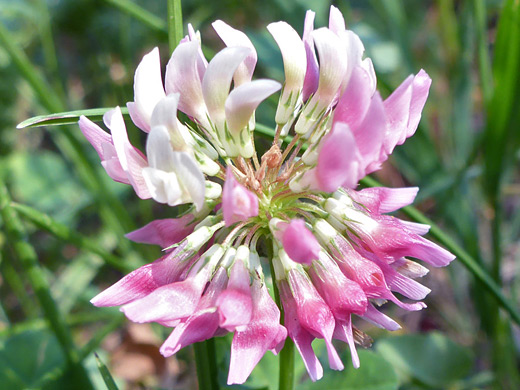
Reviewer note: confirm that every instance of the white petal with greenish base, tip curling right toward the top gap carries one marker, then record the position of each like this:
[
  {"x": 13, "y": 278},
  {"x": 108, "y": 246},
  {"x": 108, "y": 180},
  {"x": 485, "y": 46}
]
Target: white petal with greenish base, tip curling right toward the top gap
[{"x": 243, "y": 101}]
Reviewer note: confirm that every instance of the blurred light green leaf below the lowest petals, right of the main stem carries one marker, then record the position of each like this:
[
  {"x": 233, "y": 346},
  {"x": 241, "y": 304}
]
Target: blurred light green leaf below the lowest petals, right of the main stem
[{"x": 375, "y": 373}]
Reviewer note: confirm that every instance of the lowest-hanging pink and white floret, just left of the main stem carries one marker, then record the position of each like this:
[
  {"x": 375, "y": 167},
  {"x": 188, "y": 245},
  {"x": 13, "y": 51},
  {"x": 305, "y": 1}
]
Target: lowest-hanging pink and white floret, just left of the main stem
[{"x": 264, "y": 332}]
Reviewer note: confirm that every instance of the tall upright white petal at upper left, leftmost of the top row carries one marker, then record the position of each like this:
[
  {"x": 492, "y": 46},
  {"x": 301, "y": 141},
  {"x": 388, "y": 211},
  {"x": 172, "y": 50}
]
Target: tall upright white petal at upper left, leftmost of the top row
[{"x": 148, "y": 87}]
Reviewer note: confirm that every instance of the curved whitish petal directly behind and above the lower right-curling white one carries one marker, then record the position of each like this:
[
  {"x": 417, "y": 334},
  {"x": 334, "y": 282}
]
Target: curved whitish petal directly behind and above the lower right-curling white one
[{"x": 217, "y": 80}]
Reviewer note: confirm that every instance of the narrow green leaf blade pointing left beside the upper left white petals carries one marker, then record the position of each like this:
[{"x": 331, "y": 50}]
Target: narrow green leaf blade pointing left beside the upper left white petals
[{"x": 67, "y": 118}]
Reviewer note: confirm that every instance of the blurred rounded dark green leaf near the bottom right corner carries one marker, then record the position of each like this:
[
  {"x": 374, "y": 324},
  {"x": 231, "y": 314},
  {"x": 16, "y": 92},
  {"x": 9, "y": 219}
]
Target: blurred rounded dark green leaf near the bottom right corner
[{"x": 432, "y": 359}]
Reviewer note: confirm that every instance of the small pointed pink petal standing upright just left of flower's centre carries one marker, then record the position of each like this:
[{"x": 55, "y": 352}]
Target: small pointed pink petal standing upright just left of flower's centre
[{"x": 238, "y": 203}]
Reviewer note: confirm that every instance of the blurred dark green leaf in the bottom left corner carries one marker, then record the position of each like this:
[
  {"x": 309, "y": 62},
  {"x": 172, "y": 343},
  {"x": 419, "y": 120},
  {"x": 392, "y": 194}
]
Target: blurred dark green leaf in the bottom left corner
[{"x": 26, "y": 359}]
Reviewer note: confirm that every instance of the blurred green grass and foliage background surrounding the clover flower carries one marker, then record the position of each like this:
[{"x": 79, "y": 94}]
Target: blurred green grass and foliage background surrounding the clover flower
[{"x": 62, "y": 236}]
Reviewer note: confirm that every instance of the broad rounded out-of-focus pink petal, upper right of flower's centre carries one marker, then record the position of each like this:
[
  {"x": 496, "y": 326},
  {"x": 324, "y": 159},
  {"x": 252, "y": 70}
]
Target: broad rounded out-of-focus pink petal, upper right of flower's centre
[{"x": 338, "y": 160}]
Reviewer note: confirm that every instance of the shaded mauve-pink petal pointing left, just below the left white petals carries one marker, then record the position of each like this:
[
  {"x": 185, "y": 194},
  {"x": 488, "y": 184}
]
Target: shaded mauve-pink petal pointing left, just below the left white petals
[{"x": 163, "y": 232}]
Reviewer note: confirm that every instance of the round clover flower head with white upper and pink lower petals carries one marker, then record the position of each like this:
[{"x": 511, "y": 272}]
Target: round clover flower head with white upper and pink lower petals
[{"x": 333, "y": 249}]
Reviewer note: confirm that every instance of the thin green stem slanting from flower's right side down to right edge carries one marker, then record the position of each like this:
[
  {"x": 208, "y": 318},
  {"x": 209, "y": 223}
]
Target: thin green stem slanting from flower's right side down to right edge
[{"x": 471, "y": 264}]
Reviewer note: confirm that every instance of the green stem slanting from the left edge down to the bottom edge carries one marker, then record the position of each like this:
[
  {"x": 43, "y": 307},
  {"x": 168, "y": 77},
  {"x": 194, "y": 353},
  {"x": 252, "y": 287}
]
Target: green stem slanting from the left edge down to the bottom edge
[{"x": 36, "y": 276}]
